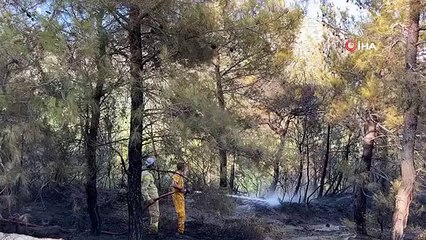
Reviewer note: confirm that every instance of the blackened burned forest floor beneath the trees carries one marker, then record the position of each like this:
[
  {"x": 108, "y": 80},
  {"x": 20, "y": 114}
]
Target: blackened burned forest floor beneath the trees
[{"x": 208, "y": 217}]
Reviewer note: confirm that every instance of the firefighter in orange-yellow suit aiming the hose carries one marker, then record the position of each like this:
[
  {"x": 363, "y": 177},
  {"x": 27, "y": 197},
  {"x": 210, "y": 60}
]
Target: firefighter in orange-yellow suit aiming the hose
[{"x": 179, "y": 196}]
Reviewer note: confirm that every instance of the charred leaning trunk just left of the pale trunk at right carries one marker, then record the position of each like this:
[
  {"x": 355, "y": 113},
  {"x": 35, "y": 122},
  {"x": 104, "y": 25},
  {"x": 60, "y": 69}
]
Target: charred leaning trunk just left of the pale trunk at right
[{"x": 363, "y": 174}]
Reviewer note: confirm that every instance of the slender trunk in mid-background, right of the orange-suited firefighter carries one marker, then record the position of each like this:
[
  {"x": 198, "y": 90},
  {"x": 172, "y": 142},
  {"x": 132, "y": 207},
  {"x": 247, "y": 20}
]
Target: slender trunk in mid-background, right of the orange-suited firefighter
[{"x": 221, "y": 143}]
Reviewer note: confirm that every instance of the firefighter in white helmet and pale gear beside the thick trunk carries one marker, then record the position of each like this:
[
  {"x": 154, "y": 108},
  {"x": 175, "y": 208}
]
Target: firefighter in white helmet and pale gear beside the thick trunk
[{"x": 149, "y": 194}]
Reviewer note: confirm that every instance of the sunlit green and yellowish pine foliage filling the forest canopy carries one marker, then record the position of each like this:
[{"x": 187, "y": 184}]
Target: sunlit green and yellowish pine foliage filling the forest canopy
[{"x": 273, "y": 64}]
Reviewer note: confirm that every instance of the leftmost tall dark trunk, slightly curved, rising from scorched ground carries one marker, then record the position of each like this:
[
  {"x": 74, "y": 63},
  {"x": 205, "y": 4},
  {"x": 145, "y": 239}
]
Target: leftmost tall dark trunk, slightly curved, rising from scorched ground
[{"x": 93, "y": 129}]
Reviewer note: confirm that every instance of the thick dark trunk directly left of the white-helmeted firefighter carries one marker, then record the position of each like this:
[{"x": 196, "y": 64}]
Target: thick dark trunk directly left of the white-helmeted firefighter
[{"x": 136, "y": 126}]
